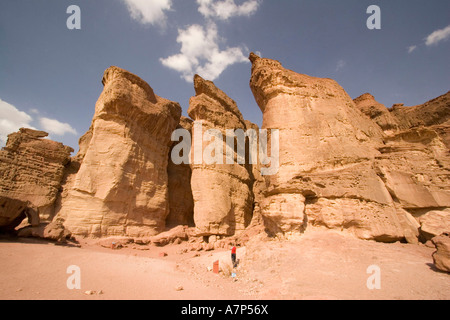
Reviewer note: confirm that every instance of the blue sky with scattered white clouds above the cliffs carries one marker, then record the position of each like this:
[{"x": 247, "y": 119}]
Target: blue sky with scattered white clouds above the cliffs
[{"x": 50, "y": 76}]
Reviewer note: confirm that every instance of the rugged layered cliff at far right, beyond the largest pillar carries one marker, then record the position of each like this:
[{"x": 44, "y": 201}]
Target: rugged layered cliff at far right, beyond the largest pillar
[{"x": 415, "y": 158}]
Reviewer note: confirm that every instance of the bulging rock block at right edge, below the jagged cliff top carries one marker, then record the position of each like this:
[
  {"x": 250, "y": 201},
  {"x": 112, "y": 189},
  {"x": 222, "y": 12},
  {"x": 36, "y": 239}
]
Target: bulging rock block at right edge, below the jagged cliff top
[{"x": 414, "y": 165}]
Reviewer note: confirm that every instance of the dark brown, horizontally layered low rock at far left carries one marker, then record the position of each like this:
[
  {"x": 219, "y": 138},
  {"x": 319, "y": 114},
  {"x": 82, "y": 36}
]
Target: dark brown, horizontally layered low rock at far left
[{"x": 31, "y": 171}]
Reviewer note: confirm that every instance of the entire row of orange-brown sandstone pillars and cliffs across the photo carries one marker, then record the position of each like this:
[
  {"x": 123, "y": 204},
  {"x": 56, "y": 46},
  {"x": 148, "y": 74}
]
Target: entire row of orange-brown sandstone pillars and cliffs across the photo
[{"x": 350, "y": 165}]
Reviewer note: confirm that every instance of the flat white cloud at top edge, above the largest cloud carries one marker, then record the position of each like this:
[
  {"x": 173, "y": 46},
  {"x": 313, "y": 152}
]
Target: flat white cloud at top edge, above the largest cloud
[{"x": 225, "y": 9}]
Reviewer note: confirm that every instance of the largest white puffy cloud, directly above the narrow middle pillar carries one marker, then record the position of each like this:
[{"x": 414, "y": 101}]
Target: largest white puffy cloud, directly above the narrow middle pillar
[{"x": 200, "y": 53}]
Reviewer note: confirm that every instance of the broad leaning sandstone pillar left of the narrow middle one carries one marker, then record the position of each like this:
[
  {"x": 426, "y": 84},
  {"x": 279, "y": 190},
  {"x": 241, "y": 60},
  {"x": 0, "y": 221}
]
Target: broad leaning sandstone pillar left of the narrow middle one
[{"x": 121, "y": 187}]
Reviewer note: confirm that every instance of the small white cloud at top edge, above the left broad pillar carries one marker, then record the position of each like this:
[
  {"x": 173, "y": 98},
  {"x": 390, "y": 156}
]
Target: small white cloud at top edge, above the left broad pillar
[{"x": 149, "y": 11}]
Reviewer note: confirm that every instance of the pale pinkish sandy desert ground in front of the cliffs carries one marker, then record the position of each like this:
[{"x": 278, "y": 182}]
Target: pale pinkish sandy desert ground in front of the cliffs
[{"x": 317, "y": 265}]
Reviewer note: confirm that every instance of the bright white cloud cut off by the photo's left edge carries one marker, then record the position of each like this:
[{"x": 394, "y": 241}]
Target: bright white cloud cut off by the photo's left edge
[{"x": 11, "y": 120}]
